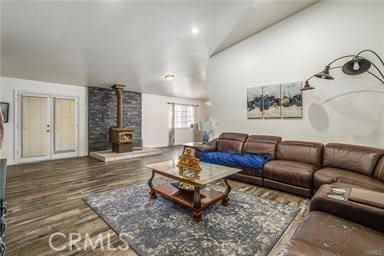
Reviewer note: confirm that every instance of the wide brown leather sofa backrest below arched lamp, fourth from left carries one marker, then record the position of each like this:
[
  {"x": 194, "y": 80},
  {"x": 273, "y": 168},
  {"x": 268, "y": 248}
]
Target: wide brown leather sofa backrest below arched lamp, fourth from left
[{"x": 354, "y": 158}]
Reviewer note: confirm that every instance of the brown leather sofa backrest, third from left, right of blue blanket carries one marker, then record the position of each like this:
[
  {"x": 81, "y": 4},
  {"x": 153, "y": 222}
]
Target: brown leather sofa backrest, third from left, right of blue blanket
[{"x": 300, "y": 151}]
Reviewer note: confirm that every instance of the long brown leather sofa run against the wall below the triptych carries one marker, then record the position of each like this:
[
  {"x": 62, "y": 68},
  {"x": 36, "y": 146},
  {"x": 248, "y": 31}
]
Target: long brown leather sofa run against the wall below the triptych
[{"x": 301, "y": 167}]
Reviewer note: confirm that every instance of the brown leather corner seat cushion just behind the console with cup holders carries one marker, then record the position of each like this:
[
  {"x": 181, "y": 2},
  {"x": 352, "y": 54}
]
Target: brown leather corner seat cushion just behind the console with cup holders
[{"x": 329, "y": 175}]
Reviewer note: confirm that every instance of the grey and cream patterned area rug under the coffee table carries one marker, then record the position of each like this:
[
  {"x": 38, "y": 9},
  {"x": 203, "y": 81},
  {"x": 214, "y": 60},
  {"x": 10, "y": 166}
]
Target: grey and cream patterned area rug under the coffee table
[{"x": 248, "y": 226}]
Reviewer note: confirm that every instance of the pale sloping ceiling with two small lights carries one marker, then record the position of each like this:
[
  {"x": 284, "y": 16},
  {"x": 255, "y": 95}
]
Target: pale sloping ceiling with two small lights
[{"x": 134, "y": 43}]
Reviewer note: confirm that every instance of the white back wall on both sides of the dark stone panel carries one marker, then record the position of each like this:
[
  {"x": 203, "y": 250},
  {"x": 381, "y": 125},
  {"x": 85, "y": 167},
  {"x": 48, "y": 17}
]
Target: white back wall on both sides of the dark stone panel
[{"x": 155, "y": 114}]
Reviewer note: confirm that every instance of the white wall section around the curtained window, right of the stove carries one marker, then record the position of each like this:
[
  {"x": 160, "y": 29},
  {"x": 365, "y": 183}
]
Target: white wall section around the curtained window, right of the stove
[{"x": 155, "y": 123}]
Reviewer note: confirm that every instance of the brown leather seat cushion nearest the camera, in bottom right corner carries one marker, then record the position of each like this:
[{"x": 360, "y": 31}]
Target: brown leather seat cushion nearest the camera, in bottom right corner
[{"x": 339, "y": 235}]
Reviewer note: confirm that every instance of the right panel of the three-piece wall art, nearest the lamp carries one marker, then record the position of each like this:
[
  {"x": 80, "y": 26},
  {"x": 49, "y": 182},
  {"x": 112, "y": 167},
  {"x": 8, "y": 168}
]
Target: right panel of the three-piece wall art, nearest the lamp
[{"x": 291, "y": 100}]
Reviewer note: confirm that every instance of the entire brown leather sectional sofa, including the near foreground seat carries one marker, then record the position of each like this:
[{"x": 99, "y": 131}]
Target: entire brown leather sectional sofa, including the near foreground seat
[{"x": 333, "y": 227}]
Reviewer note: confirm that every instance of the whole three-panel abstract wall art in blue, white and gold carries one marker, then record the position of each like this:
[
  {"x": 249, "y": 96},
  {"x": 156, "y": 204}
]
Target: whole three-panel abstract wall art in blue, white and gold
[{"x": 275, "y": 101}]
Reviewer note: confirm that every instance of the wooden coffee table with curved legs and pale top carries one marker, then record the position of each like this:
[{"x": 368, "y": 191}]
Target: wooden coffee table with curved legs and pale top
[{"x": 199, "y": 198}]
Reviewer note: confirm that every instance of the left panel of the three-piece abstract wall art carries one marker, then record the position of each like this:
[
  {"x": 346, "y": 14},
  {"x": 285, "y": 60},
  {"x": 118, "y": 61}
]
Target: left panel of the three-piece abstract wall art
[{"x": 255, "y": 102}]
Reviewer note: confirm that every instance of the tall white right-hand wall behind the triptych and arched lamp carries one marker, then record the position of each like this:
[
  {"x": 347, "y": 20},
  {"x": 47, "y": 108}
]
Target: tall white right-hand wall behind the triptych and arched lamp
[{"x": 349, "y": 109}]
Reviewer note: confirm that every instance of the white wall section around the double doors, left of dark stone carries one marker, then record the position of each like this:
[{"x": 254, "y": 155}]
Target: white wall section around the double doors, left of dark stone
[{"x": 7, "y": 88}]
